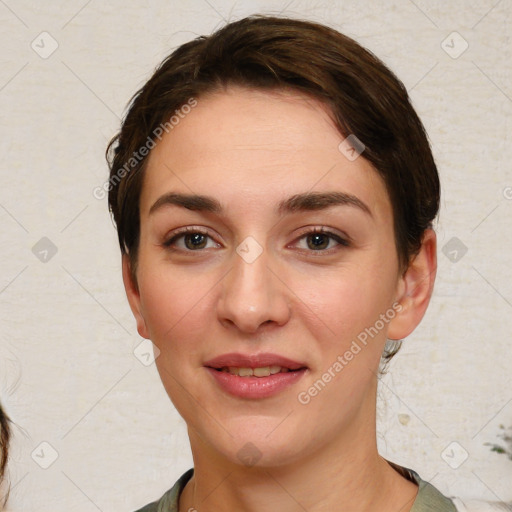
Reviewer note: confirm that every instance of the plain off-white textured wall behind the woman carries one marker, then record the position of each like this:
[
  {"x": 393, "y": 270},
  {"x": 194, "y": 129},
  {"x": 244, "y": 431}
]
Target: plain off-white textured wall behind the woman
[{"x": 69, "y": 377}]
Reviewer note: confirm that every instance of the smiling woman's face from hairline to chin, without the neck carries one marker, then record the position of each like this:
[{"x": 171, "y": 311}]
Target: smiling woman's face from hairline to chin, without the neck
[{"x": 290, "y": 255}]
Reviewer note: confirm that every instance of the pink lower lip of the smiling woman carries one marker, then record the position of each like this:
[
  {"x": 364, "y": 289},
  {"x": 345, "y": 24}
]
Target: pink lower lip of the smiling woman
[{"x": 255, "y": 387}]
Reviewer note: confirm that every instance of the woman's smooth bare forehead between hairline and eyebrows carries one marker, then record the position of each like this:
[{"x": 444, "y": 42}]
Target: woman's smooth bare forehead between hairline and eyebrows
[{"x": 252, "y": 145}]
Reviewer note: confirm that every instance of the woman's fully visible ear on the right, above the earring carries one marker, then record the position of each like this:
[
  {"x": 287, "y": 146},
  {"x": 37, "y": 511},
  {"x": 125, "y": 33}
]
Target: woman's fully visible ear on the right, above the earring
[{"x": 415, "y": 288}]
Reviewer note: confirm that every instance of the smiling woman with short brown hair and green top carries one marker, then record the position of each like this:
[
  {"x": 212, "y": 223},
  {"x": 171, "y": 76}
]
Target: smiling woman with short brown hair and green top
[{"x": 274, "y": 191}]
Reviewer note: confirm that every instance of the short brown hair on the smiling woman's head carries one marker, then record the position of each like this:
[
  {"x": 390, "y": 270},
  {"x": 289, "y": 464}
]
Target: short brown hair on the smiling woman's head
[{"x": 364, "y": 97}]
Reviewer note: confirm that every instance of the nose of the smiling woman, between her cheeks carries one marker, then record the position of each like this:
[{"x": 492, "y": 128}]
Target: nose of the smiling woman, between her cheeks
[{"x": 253, "y": 295}]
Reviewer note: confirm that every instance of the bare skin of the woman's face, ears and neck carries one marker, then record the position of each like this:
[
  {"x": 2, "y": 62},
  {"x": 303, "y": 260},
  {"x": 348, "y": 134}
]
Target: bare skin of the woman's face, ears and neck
[{"x": 251, "y": 150}]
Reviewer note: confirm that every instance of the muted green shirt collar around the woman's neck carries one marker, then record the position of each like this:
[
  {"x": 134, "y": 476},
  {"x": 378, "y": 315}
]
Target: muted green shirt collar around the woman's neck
[{"x": 429, "y": 499}]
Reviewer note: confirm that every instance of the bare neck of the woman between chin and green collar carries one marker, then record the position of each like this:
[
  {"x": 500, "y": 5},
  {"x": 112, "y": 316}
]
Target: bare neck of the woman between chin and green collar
[{"x": 348, "y": 475}]
